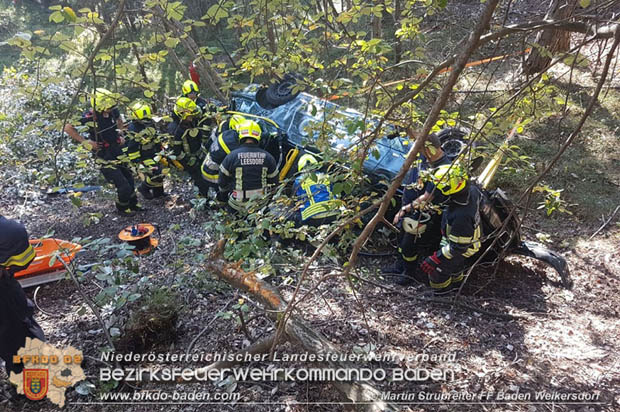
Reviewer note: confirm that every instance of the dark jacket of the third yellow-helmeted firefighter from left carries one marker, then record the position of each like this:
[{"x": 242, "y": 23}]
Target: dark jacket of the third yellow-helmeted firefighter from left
[{"x": 186, "y": 143}]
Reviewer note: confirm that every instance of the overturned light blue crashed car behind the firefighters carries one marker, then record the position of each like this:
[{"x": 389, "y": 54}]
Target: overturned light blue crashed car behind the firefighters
[{"x": 291, "y": 116}]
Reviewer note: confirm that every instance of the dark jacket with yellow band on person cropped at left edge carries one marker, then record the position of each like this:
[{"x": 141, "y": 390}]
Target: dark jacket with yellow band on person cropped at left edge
[{"x": 15, "y": 250}]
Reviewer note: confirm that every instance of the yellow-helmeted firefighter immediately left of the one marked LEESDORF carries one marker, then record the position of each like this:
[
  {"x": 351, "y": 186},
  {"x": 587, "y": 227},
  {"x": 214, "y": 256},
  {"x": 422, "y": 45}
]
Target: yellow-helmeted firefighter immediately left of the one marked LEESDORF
[{"x": 226, "y": 141}]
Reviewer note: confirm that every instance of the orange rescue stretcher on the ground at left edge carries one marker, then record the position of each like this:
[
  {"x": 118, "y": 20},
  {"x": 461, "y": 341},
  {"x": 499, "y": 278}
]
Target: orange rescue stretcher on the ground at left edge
[{"x": 40, "y": 271}]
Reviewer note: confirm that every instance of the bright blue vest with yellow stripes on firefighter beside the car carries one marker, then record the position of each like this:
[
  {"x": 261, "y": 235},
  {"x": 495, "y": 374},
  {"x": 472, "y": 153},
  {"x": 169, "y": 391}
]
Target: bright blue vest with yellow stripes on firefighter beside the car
[{"x": 314, "y": 190}]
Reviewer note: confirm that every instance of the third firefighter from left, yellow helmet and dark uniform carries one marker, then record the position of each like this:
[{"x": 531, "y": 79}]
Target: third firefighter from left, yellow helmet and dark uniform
[{"x": 187, "y": 141}]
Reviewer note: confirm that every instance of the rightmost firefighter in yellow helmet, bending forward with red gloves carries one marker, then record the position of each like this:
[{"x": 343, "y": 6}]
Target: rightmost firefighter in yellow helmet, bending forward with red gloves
[{"x": 460, "y": 227}]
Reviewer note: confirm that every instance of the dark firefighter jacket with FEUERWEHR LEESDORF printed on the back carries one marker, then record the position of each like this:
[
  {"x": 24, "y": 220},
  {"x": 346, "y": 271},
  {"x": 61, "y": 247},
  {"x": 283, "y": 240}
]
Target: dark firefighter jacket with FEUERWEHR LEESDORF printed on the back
[{"x": 246, "y": 172}]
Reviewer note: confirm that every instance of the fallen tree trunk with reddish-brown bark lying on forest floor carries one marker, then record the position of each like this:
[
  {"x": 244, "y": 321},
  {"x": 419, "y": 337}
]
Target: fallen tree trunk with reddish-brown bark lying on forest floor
[{"x": 296, "y": 331}]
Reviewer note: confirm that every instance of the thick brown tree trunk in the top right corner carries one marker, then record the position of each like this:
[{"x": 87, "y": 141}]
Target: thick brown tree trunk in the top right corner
[{"x": 553, "y": 41}]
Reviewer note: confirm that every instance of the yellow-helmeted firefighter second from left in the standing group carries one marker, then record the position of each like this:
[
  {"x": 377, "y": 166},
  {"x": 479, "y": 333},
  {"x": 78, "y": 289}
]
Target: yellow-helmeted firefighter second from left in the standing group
[{"x": 143, "y": 145}]
